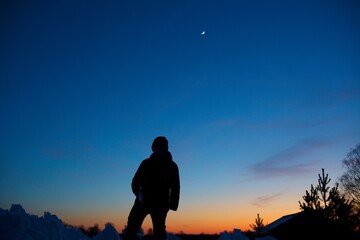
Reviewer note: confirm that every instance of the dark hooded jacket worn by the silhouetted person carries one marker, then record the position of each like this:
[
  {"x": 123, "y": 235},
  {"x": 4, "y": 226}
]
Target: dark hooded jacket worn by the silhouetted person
[{"x": 158, "y": 180}]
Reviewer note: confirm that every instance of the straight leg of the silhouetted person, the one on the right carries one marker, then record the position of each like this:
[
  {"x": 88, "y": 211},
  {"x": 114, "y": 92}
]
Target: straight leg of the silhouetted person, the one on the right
[{"x": 158, "y": 217}]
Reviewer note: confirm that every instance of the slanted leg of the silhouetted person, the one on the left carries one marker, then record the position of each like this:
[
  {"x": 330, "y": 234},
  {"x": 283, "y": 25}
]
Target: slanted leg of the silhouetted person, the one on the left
[{"x": 135, "y": 220}]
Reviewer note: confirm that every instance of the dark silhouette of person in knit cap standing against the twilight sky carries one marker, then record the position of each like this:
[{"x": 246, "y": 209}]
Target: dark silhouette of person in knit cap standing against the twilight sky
[{"x": 156, "y": 185}]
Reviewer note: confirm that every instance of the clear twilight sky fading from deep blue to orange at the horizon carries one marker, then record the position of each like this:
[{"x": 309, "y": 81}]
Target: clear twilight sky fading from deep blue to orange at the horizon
[{"x": 253, "y": 109}]
